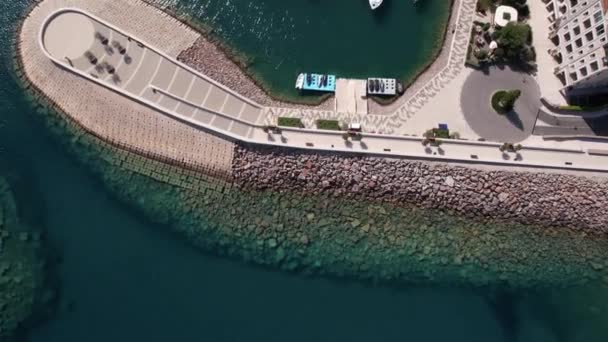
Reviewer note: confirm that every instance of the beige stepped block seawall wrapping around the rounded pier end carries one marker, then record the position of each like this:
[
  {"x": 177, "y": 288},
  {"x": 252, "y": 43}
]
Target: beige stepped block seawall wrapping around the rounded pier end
[{"x": 109, "y": 115}]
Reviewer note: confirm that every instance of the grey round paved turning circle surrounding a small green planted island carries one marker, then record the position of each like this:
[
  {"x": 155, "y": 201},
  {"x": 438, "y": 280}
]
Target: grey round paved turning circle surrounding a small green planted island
[{"x": 475, "y": 103}]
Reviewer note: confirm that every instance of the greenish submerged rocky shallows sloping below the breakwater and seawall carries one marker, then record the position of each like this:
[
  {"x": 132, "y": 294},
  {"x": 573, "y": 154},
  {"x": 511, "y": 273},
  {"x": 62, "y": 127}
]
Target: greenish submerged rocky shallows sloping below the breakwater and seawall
[{"x": 556, "y": 274}]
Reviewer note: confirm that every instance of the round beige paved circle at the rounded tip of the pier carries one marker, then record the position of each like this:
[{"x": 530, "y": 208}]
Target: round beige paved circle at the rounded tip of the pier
[{"x": 69, "y": 34}]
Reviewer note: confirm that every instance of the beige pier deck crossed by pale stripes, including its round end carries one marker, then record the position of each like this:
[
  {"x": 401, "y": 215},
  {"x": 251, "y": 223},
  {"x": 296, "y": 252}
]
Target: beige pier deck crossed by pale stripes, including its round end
[{"x": 124, "y": 64}]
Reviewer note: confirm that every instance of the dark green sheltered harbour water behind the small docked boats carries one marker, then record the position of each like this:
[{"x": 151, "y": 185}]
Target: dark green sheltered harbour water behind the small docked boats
[{"x": 343, "y": 37}]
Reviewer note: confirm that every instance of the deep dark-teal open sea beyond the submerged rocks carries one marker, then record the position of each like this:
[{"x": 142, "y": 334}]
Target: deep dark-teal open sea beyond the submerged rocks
[{"x": 125, "y": 279}]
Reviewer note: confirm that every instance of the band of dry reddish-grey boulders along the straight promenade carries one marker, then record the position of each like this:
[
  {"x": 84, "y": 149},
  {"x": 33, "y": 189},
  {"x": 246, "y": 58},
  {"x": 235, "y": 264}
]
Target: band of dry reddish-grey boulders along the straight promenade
[{"x": 545, "y": 199}]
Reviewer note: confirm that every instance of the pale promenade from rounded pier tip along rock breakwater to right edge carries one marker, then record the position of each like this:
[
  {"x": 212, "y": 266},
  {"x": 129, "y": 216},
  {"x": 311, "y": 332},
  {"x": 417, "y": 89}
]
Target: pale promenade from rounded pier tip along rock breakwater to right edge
[{"x": 164, "y": 84}]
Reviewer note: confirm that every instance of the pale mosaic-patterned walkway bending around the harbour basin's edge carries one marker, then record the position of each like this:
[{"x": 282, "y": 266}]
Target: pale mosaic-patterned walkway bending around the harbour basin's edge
[{"x": 387, "y": 124}]
